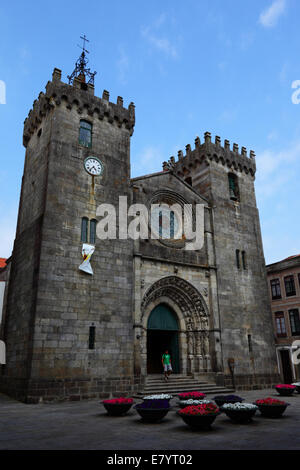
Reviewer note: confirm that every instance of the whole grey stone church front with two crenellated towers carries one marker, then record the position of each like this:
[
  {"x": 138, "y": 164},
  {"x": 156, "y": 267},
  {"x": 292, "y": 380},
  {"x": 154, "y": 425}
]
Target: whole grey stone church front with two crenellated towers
[{"x": 70, "y": 335}]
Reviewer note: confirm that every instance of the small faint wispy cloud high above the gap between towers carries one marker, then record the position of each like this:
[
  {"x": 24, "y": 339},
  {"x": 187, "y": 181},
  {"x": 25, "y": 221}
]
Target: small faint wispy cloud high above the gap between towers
[{"x": 159, "y": 40}]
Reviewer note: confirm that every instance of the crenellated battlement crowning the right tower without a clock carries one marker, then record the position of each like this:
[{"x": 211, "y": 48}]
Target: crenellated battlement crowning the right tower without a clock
[{"x": 209, "y": 151}]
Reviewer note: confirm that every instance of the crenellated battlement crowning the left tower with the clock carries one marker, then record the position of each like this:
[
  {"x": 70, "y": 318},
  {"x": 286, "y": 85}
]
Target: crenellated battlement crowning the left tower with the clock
[{"x": 80, "y": 96}]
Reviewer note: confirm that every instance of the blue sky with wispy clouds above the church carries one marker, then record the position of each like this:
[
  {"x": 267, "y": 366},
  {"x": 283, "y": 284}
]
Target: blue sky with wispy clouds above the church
[{"x": 223, "y": 66}]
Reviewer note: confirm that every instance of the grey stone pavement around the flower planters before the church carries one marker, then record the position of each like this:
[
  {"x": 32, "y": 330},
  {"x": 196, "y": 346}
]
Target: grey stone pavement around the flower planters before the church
[{"x": 85, "y": 425}]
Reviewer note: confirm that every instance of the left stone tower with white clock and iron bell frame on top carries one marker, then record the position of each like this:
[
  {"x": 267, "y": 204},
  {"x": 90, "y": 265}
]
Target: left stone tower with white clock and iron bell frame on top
[{"x": 68, "y": 333}]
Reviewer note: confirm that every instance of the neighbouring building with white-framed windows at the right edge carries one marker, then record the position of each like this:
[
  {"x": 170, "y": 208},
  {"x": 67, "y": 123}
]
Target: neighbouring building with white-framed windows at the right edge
[{"x": 284, "y": 287}]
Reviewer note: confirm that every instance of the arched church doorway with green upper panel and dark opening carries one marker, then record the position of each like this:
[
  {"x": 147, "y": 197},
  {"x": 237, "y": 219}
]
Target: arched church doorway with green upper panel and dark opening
[{"x": 162, "y": 334}]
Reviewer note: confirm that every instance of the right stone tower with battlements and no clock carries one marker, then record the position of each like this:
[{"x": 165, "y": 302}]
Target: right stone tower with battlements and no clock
[{"x": 225, "y": 176}]
